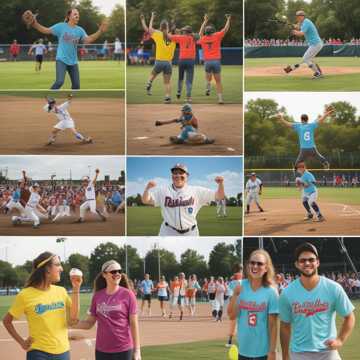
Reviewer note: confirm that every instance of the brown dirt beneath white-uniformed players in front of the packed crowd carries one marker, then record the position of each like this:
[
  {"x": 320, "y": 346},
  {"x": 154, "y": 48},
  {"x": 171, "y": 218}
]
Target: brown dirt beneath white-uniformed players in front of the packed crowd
[{"x": 115, "y": 225}]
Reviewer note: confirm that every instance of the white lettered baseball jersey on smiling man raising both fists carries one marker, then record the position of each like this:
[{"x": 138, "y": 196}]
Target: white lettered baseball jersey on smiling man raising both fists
[{"x": 179, "y": 207}]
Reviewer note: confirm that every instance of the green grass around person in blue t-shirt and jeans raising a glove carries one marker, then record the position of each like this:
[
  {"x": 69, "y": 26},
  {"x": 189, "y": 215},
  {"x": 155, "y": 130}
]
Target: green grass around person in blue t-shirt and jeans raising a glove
[{"x": 93, "y": 75}]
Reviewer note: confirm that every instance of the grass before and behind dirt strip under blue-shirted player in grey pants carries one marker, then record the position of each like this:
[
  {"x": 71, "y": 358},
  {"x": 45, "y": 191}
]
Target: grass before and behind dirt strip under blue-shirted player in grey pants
[{"x": 348, "y": 82}]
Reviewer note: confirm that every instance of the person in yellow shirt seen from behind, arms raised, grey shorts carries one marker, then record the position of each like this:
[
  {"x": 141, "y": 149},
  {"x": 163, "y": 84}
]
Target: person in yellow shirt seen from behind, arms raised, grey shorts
[{"x": 165, "y": 50}]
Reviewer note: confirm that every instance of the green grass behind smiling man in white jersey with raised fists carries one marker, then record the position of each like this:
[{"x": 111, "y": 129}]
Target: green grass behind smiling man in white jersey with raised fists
[{"x": 146, "y": 221}]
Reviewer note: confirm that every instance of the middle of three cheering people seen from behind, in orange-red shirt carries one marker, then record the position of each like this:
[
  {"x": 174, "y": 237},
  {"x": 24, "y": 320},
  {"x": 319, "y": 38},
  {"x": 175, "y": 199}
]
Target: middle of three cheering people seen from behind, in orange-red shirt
[{"x": 187, "y": 55}]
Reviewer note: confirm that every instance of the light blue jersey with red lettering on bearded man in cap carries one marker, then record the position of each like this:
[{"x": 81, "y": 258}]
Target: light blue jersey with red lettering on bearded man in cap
[{"x": 312, "y": 313}]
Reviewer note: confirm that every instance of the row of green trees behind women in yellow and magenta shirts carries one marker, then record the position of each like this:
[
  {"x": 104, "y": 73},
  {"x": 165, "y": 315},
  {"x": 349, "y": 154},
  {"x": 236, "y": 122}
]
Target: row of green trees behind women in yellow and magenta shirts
[{"x": 221, "y": 260}]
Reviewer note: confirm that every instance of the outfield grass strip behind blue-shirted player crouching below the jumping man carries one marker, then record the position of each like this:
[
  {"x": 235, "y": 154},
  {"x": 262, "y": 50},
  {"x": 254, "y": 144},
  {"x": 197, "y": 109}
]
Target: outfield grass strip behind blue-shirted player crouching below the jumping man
[{"x": 348, "y": 196}]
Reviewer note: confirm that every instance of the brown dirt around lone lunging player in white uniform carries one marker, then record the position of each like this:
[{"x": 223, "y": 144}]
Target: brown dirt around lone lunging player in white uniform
[{"x": 25, "y": 127}]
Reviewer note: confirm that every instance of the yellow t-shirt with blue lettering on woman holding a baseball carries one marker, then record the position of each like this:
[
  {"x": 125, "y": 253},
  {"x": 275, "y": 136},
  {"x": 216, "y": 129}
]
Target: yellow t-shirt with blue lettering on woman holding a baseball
[{"x": 46, "y": 313}]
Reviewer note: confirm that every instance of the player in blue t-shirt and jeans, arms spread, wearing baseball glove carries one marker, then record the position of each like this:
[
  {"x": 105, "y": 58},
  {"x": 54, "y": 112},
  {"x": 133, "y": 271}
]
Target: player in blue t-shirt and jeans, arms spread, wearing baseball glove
[{"x": 69, "y": 34}]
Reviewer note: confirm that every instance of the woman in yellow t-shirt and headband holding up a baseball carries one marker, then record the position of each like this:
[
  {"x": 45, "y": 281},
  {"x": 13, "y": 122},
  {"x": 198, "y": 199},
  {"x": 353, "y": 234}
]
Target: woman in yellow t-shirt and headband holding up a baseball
[{"x": 48, "y": 310}]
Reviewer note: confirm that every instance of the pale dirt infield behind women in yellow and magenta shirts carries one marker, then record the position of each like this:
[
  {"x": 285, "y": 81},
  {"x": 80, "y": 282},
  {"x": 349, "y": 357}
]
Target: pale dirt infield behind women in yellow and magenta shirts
[{"x": 153, "y": 331}]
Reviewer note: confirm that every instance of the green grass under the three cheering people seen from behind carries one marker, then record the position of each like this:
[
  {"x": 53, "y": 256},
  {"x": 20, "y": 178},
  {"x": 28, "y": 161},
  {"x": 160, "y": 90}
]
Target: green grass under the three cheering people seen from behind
[{"x": 137, "y": 77}]
